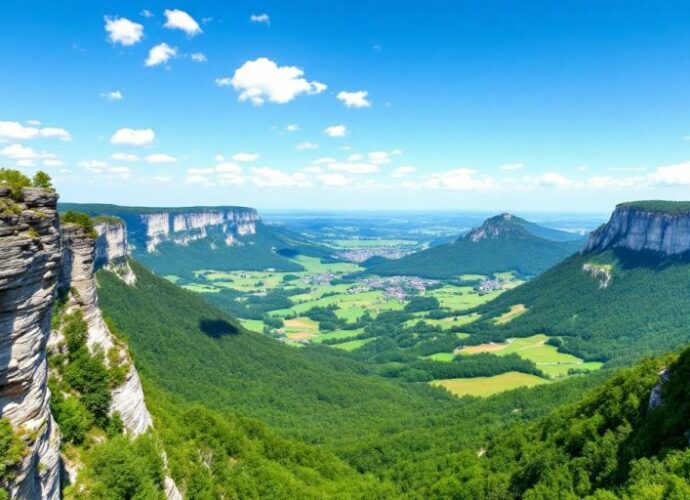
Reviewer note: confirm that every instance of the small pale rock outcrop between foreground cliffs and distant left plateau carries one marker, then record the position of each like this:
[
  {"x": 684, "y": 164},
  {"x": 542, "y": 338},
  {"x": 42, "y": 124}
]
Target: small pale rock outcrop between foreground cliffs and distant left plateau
[{"x": 112, "y": 249}]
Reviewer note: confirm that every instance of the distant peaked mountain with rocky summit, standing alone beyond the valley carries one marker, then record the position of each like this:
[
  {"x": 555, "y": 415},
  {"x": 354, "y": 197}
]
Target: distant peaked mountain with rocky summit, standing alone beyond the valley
[{"x": 501, "y": 243}]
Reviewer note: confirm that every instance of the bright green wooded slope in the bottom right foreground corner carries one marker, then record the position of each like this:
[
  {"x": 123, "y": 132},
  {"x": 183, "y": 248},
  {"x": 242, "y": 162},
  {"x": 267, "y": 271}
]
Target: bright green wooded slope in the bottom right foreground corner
[{"x": 628, "y": 439}]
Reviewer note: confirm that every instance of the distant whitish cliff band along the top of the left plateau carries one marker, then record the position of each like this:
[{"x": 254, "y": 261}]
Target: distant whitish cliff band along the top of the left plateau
[{"x": 185, "y": 226}]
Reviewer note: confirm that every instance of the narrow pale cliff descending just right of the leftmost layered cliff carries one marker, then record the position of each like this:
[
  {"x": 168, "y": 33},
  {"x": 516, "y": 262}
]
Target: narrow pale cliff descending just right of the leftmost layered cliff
[{"x": 78, "y": 277}]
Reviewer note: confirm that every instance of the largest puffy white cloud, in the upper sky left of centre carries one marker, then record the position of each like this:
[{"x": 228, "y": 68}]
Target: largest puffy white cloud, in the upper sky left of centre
[{"x": 263, "y": 80}]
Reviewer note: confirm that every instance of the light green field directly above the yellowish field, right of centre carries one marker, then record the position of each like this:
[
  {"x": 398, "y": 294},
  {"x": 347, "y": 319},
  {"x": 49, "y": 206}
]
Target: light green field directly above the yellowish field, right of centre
[{"x": 545, "y": 356}]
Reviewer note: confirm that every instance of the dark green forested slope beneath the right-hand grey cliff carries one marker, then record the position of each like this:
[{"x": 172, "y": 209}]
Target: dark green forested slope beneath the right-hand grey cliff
[{"x": 642, "y": 310}]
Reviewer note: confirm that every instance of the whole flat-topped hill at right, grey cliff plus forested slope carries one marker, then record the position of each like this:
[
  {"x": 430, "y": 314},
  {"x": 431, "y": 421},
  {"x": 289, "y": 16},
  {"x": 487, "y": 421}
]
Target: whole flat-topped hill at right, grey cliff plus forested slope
[{"x": 626, "y": 295}]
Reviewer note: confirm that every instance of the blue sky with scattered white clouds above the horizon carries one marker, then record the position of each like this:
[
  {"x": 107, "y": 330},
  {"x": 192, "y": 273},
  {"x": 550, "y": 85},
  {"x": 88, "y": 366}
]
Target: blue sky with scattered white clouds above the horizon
[{"x": 496, "y": 105}]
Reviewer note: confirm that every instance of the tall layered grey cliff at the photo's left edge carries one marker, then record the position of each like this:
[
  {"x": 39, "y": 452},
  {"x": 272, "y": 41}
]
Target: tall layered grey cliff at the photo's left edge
[{"x": 30, "y": 252}]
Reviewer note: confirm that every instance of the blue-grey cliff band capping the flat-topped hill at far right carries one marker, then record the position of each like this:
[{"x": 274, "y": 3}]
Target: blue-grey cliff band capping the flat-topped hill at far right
[{"x": 638, "y": 229}]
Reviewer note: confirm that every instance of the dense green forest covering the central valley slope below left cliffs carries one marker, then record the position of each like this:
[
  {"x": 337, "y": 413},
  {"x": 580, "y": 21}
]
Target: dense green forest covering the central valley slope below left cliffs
[{"x": 408, "y": 436}]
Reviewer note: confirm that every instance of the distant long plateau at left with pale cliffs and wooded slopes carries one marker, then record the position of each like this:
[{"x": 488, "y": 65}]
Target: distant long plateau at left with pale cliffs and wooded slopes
[{"x": 180, "y": 241}]
